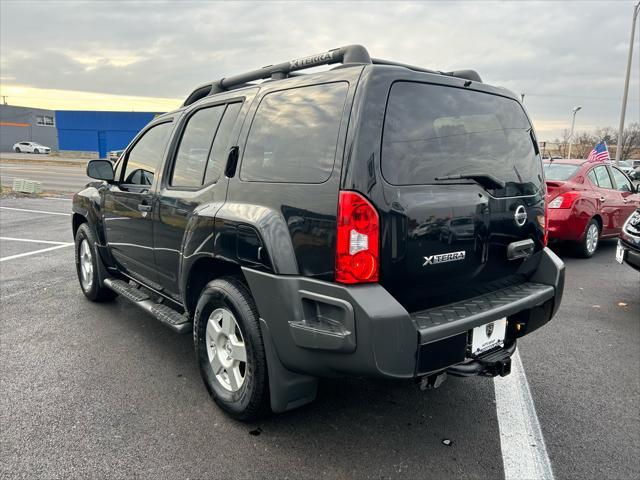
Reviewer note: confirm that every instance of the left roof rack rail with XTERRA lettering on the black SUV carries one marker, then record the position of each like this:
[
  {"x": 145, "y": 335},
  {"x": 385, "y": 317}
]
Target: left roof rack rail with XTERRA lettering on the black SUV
[{"x": 351, "y": 54}]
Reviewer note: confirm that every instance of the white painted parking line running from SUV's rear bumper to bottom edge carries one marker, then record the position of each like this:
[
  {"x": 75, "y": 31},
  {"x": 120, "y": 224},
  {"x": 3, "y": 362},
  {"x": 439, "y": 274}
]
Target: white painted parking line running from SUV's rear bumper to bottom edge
[{"x": 524, "y": 453}]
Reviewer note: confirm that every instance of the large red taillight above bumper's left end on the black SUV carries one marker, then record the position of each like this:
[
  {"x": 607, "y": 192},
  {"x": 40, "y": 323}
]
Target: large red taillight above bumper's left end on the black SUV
[{"x": 357, "y": 246}]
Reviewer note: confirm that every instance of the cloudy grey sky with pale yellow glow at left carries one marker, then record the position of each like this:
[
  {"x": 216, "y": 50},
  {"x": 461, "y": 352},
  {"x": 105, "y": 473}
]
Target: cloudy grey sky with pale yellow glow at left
[{"x": 119, "y": 55}]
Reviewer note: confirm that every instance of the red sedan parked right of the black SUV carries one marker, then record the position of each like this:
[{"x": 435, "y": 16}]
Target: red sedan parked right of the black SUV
[{"x": 587, "y": 201}]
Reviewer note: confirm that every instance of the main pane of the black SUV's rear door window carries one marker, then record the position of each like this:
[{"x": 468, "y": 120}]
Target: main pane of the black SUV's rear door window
[{"x": 195, "y": 144}]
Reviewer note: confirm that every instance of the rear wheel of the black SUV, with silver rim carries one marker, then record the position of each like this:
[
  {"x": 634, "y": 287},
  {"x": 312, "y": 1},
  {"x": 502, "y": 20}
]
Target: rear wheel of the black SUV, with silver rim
[{"x": 230, "y": 350}]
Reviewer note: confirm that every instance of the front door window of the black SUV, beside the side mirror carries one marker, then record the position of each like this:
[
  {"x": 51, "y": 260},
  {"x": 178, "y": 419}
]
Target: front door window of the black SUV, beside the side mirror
[{"x": 144, "y": 157}]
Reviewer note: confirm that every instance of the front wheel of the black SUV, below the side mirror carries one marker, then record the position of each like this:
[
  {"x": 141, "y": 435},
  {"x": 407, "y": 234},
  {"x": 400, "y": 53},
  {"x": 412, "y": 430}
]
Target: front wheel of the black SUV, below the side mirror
[{"x": 87, "y": 267}]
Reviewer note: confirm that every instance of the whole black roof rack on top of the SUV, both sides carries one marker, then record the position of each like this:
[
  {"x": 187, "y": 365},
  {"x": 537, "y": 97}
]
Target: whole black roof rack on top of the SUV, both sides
[{"x": 349, "y": 55}]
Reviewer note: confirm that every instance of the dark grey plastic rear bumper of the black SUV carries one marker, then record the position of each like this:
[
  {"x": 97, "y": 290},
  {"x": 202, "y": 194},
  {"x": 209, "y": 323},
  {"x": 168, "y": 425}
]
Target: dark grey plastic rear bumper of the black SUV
[{"x": 325, "y": 329}]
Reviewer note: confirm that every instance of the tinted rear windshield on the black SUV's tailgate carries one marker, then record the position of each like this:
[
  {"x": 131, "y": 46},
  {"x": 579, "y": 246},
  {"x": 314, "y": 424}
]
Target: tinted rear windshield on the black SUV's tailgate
[{"x": 435, "y": 131}]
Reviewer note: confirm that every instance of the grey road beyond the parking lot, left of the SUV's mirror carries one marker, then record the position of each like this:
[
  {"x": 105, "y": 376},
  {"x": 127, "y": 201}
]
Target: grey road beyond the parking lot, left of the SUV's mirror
[{"x": 66, "y": 178}]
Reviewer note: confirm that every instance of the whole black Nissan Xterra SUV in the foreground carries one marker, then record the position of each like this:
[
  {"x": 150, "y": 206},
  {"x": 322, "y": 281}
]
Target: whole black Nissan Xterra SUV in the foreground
[{"x": 376, "y": 220}]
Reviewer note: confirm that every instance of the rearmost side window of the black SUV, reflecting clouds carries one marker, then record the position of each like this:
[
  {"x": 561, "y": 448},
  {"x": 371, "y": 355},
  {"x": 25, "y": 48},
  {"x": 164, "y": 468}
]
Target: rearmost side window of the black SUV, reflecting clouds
[{"x": 294, "y": 135}]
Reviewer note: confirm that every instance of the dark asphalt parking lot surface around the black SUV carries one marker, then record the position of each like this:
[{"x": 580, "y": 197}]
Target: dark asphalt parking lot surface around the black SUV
[{"x": 102, "y": 390}]
